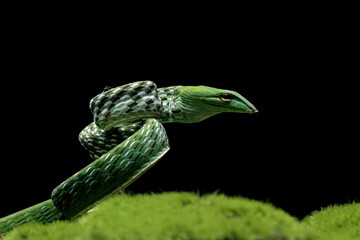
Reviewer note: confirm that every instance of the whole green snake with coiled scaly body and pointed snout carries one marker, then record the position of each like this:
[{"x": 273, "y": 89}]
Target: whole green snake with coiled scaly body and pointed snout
[{"x": 125, "y": 139}]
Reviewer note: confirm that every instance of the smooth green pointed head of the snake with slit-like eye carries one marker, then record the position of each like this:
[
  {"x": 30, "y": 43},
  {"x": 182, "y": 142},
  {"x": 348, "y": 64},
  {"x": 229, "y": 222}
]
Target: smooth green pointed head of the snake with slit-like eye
[{"x": 206, "y": 101}]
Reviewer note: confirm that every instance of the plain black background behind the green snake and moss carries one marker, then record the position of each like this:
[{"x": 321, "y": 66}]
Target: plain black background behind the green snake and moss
[{"x": 298, "y": 152}]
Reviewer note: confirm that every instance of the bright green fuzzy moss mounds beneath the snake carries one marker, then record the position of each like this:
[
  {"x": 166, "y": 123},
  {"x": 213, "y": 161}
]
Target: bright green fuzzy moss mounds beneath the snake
[{"x": 190, "y": 216}]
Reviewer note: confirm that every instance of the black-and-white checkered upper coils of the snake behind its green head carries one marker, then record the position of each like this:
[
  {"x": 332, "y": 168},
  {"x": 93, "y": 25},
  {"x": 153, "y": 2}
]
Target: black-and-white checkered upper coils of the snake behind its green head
[{"x": 98, "y": 141}]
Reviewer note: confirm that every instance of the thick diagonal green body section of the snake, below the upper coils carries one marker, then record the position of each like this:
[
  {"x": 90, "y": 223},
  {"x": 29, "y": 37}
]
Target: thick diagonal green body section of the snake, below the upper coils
[{"x": 113, "y": 171}]
